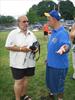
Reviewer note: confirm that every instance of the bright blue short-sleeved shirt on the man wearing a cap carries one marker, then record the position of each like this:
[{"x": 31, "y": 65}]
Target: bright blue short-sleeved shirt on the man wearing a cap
[{"x": 58, "y": 38}]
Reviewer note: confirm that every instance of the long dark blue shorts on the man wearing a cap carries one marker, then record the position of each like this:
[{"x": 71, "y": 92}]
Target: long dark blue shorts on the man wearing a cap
[{"x": 55, "y": 79}]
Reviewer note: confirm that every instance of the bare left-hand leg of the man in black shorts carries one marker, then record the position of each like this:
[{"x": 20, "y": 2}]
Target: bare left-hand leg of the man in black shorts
[{"x": 19, "y": 87}]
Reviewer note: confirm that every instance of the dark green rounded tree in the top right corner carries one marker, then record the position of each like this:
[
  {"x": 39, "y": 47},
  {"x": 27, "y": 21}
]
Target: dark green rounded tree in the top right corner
[{"x": 67, "y": 9}]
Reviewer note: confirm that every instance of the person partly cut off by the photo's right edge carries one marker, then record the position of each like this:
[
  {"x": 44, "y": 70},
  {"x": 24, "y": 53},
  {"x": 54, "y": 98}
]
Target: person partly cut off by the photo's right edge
[{"x": 72, "y": 35}]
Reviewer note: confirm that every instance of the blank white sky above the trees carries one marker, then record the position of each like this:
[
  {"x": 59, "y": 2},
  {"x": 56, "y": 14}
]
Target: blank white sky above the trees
[{"x": 18, "y": 7}]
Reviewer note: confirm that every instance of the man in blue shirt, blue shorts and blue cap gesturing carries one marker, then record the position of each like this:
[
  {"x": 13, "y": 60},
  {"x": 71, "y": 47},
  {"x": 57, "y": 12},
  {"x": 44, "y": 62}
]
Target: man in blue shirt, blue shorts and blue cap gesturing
[{"x": 57, "y": 56}]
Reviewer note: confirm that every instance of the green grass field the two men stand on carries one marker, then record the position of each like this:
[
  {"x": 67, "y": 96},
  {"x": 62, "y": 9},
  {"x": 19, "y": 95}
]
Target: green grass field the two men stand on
[{"x": 37, "y": 86}]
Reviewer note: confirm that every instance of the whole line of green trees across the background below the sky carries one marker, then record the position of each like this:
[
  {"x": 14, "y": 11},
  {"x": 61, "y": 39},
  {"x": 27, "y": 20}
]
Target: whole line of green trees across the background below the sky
[{"x": 36, "y": 12}]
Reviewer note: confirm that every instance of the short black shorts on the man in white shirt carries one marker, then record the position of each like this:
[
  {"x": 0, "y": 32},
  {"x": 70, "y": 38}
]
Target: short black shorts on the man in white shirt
[{"x": 20, "y": 73}]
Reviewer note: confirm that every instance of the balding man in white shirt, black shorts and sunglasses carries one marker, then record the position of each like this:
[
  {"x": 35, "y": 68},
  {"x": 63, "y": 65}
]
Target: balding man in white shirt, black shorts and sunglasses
[{"x": 22, "y": 61}]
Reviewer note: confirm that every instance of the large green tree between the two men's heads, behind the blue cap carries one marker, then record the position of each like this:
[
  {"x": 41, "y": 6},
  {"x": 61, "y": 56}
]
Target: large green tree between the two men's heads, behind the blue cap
[{"x": 36, "y": 13}]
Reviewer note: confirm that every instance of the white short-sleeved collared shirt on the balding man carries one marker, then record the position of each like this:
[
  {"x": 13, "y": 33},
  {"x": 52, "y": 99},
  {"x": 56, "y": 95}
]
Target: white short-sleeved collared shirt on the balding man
[{"x": 21, "y": 60}]
